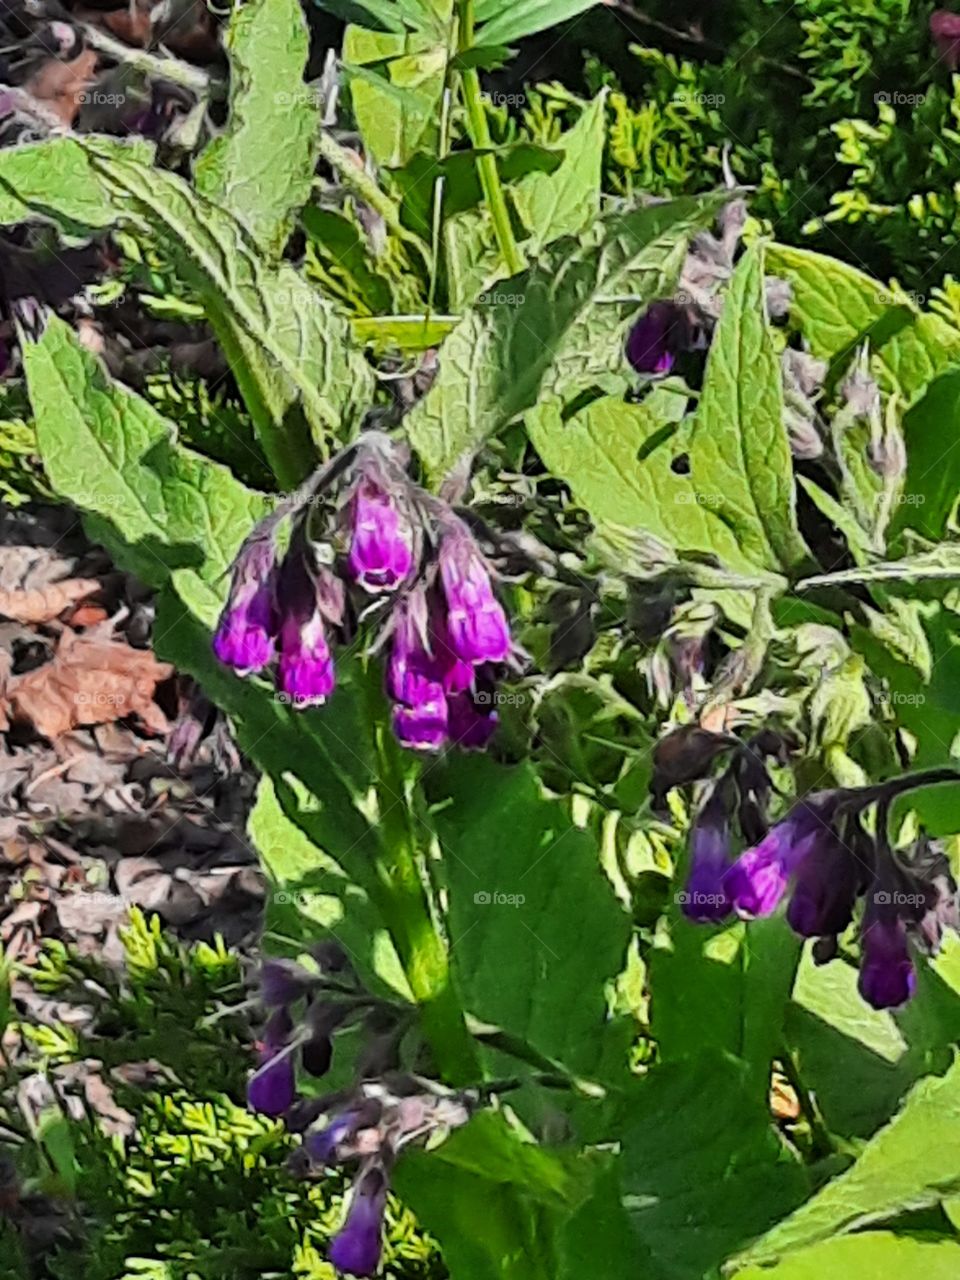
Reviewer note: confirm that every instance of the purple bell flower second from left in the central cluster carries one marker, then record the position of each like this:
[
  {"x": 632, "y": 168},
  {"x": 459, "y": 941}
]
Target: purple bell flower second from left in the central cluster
[{"x": 305, "y": 673}]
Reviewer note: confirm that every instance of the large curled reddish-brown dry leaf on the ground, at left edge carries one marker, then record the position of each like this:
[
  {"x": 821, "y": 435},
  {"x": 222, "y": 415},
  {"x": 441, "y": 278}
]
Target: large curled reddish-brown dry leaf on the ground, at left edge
[{"x": 90, "y": 682}]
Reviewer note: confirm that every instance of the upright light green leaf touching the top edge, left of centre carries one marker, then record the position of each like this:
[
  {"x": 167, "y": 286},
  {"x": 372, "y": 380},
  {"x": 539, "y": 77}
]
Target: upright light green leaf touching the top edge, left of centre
[{"x": 262, "y": 168}]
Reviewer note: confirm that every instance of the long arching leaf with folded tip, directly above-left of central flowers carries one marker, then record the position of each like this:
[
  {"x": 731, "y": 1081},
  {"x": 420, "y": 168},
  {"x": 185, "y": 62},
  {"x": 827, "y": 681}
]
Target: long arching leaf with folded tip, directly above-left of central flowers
[{"x": 286, "y": 344}]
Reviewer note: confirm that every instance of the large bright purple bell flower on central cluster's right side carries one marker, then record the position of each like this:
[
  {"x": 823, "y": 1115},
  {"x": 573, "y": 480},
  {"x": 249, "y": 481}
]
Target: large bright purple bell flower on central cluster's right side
[{"x": 477, "y": 624}]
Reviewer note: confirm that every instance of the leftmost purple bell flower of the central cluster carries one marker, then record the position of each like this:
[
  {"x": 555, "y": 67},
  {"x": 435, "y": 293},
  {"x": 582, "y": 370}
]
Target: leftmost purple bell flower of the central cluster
[{"x": 245, "y": 636}]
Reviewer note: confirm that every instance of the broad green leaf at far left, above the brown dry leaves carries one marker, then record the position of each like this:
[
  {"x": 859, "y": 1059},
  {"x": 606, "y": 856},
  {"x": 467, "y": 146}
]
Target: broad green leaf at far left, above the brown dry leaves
[{"x": 161, "y": 509}]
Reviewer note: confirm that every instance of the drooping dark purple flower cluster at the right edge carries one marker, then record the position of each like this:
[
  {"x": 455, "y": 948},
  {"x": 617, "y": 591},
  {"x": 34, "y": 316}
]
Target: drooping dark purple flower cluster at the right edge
[{"x": 822, "y": 860}]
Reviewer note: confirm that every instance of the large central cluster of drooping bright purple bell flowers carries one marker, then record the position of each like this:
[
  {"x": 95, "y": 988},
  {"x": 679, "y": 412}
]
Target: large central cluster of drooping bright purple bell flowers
[{"x": 395, "y": 552}]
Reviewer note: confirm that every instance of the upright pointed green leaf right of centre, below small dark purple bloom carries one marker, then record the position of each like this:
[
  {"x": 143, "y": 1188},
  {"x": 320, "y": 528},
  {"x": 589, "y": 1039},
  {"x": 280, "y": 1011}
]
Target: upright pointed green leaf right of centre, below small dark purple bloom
[{"x": 740, "y": 458}]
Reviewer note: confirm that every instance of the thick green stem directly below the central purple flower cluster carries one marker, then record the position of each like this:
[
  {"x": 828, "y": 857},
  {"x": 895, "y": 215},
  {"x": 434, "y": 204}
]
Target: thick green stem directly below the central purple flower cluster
[{"x": 406, "y": 911}]
